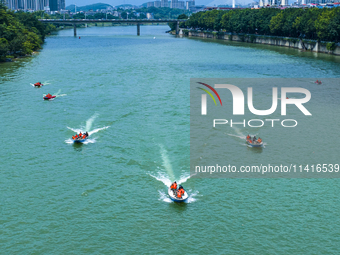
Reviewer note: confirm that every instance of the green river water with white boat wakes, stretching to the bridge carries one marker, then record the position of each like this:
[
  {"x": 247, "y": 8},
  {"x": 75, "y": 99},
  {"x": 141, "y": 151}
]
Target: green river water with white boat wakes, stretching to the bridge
[{"x": 132, "y": 94}]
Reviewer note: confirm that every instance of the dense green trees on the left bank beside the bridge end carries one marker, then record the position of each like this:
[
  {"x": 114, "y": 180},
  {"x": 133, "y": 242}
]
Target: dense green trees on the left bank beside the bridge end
[{"x": 20, "y": 33}]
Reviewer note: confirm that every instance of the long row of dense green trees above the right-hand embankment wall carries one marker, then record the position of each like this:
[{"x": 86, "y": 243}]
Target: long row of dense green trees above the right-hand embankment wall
[{"x": 312, "y": 23}]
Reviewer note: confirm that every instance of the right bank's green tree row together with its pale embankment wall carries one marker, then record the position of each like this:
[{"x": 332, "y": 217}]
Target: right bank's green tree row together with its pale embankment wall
[{"x": 312, "y": 29}]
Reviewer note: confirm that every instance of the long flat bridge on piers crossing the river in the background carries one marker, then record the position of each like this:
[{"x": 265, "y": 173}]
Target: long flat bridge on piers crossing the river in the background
[{"x": 74, "y": 22}]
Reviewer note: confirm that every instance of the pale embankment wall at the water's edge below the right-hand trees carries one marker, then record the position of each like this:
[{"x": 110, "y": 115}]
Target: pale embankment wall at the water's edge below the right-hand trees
[{"x": 296, "y": 43}]
